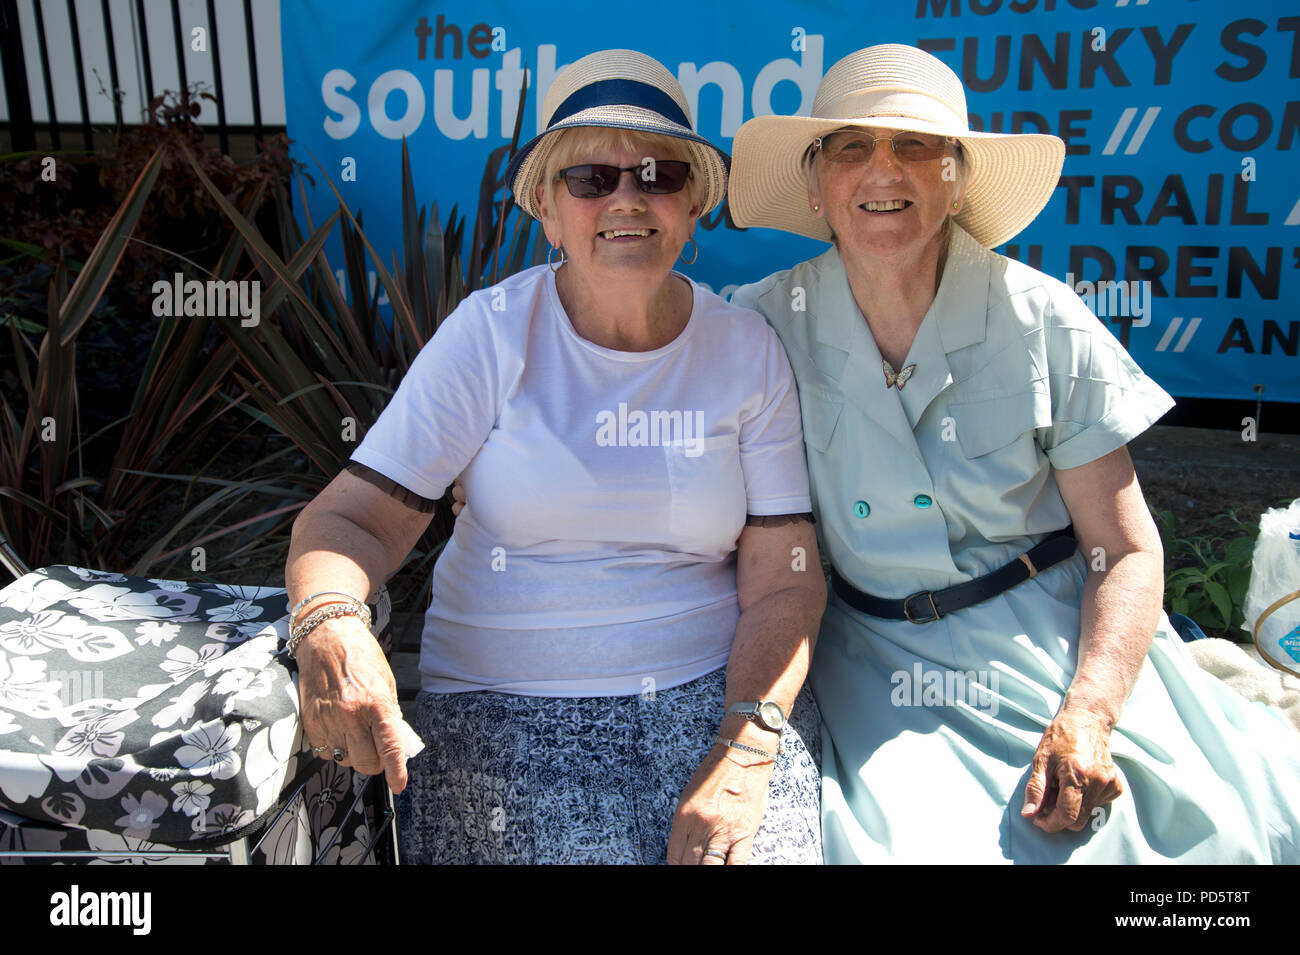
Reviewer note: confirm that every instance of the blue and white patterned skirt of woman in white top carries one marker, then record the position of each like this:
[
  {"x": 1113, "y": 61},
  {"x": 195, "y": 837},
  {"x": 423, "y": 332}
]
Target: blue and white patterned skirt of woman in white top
[{"x": 531, "y": 780}]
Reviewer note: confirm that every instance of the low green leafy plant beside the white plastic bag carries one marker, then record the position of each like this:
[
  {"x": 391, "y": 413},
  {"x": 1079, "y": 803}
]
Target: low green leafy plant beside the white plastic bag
[{"x": 1207, "y": 578}]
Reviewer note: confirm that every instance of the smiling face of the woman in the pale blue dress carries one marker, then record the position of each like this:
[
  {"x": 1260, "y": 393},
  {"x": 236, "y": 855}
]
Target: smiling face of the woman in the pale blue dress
[{"x": 883, "y": 209}]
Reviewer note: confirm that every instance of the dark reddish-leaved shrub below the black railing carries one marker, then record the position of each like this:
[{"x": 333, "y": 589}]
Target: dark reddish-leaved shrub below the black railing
[{"x": 62, "y": 205}]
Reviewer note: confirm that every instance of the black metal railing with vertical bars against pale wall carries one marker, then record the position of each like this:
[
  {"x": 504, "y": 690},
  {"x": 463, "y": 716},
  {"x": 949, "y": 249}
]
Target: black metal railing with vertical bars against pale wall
[{"x": 21, "y": 127}]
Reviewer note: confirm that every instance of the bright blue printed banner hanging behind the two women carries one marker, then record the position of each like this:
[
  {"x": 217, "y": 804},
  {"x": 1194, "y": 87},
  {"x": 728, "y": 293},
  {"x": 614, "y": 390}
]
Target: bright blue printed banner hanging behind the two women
[{"x": 1178, "y": 211}]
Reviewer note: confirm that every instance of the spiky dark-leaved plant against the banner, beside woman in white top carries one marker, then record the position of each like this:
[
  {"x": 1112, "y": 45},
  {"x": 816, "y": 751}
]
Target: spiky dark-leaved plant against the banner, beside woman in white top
[{"x": 320, "y": 370}]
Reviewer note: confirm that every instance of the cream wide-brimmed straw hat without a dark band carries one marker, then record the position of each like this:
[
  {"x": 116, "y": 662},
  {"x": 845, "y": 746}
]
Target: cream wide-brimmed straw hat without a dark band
[{"x": 1008, "y": 180}]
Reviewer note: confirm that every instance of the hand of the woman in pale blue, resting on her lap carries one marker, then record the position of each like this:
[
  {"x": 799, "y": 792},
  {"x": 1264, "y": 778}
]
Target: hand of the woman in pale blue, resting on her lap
[{"x": 1072, "y": 774}]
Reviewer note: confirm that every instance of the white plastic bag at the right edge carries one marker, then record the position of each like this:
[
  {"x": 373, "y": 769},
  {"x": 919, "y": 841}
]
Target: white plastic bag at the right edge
[{"x": 1272, "y": 607}]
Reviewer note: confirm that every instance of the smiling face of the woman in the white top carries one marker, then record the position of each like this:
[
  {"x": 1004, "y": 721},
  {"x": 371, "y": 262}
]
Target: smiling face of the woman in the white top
[{"x": 627, "y": 236}]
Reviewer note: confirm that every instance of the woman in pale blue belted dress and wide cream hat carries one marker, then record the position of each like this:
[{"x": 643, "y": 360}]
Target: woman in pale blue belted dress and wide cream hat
[{"x": 990, "y": 691}]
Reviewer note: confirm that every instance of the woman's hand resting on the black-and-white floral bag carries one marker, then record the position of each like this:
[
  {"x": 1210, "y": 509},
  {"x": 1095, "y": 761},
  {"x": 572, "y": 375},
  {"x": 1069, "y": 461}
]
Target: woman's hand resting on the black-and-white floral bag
[{"x": 349, "y": 700}]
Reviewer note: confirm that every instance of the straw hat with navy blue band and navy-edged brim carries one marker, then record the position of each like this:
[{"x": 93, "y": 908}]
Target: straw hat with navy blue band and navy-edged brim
[{"x": 617, "y": 89}]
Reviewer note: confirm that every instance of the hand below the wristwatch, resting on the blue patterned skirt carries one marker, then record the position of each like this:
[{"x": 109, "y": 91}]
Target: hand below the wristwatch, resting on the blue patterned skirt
[{"x": 721, "y": 809}]
